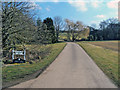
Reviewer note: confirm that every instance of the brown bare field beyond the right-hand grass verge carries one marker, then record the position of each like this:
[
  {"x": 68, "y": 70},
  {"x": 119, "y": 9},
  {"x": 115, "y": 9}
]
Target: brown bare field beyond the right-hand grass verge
[{"x": 113, "y": 45}]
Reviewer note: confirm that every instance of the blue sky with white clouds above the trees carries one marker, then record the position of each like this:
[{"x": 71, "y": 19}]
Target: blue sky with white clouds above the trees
[{"x": 87, "y": 11}]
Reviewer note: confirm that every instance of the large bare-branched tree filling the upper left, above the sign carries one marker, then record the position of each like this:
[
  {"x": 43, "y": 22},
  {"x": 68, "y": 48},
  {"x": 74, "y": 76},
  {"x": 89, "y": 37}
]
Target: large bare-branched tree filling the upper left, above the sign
[{"x": 16, "y": 20}]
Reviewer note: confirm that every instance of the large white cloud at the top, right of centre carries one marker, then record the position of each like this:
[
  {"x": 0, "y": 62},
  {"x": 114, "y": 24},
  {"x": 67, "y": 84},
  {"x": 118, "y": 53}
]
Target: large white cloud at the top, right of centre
[{"x": 79, "y": 5}]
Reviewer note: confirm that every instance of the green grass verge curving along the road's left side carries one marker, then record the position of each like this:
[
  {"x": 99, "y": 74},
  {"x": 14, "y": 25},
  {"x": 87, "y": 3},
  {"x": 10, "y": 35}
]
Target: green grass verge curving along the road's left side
[{"x": 10, "y": 73}]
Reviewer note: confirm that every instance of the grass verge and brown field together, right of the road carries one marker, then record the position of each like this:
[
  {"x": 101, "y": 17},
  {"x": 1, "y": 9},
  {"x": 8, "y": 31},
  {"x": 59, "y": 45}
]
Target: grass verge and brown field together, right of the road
[{"x": 105, "y": 56}]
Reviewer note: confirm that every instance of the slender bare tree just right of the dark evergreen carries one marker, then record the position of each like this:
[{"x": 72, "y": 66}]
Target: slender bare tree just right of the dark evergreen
[{"x": 58, "y": 24}]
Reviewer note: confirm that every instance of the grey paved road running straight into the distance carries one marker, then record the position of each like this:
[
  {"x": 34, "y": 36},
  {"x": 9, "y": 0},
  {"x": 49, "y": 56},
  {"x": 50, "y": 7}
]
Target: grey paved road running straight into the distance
[{"x": 73, "y": 68}]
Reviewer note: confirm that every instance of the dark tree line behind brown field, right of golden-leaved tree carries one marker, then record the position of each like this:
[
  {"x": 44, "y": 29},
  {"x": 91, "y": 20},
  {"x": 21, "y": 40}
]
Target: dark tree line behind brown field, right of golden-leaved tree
[{"x": 109, "y": 30}]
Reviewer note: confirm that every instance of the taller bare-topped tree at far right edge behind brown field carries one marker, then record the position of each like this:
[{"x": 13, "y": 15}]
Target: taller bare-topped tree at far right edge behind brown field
[{"x": 109, "y": 30}]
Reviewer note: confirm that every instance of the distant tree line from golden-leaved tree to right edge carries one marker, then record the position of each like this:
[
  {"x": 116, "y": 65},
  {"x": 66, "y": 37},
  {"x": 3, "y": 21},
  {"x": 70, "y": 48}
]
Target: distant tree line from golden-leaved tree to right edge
[{"x": 108, "y": 30}]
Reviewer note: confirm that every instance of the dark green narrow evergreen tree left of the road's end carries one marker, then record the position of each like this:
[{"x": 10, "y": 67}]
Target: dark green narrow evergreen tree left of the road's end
[{"x": 51, "y": 31}]
